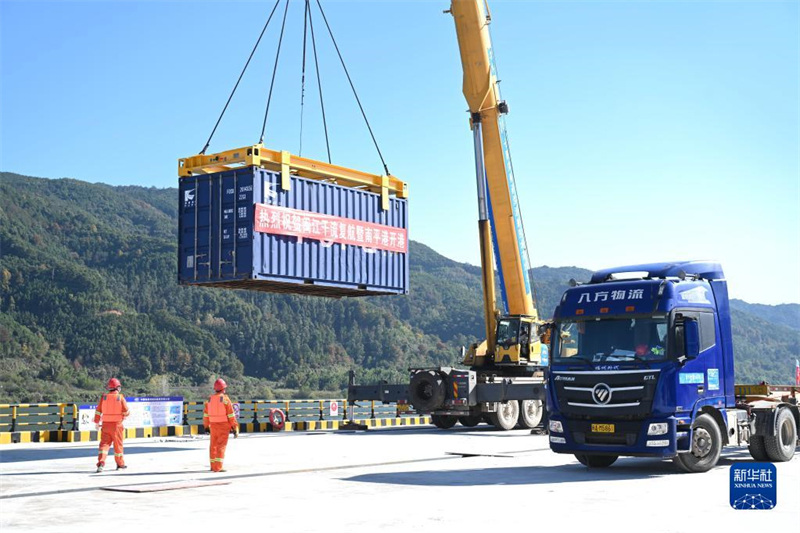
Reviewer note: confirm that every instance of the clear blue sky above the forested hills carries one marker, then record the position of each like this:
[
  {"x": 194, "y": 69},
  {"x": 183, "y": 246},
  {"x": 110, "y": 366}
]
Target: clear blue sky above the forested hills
[{"x": 640, "y": 131}]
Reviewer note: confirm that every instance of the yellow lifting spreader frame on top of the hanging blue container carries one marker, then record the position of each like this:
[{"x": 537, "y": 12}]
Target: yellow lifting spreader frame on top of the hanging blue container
[{"x": 289, "y": 164}]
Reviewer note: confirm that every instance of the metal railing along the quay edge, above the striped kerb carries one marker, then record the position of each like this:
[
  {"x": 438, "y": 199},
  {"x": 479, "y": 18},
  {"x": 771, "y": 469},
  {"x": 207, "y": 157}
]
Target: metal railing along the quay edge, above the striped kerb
[{"x": 64, "y": 416}]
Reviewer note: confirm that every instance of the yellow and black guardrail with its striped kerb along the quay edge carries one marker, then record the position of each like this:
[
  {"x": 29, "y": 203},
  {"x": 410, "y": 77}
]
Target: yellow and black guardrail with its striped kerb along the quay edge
[{"x": 58, "y": 422}]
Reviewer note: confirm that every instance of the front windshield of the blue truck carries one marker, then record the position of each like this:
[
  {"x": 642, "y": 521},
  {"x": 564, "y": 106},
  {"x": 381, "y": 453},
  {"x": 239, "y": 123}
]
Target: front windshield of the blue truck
[{"x": 613, "y": 339}]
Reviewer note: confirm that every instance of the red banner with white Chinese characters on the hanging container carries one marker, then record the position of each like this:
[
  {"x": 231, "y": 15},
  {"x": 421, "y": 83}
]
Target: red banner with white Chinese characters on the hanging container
[{"x": 329, "y": 229}]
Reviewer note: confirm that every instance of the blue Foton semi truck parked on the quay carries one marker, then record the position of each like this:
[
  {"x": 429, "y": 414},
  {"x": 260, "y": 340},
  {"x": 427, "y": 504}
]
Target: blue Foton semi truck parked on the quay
[{"x": 642, "y": 365}]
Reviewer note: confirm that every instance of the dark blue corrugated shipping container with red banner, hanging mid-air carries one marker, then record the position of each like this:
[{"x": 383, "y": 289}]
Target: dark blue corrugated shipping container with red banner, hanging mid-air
[{"x": 222, "y": 243}]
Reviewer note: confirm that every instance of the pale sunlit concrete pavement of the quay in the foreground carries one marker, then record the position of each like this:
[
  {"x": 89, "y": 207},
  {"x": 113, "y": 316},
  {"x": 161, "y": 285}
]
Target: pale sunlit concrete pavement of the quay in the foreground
[{"x": 379, "y": 480}]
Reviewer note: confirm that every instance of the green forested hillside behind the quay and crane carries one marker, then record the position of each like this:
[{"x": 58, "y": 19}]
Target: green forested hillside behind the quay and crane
[{"x": 88, "y": 289}]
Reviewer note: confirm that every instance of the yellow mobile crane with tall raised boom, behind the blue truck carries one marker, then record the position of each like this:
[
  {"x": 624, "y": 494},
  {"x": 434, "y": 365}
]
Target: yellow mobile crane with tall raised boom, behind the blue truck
[{"x": 505, "y": 375}]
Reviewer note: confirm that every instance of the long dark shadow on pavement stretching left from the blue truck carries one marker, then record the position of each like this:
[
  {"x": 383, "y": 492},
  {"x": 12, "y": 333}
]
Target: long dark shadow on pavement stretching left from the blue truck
[{"x": 531, "y": 475}]
